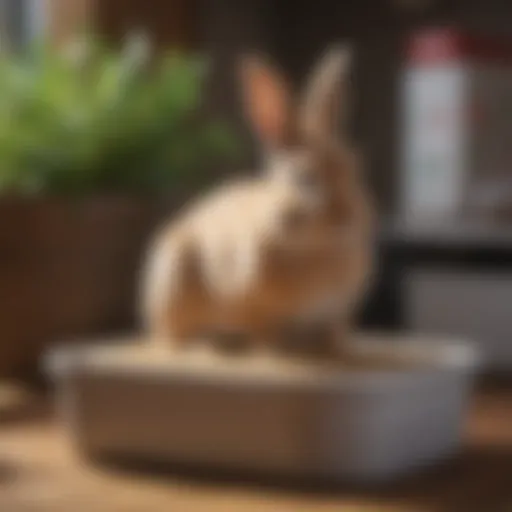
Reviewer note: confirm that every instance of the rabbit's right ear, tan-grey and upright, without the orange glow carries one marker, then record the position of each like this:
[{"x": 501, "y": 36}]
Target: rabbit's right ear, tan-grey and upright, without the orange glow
[{"x": 325, "y": 95}]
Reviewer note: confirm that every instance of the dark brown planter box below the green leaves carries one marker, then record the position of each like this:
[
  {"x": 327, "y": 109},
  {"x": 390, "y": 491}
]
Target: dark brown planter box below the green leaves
[{"x": 67, "y": 269}]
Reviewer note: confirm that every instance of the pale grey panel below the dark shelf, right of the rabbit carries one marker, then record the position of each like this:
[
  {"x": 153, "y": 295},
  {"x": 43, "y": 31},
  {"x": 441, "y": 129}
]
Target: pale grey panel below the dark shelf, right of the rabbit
[{"x": 476, "y": 305}]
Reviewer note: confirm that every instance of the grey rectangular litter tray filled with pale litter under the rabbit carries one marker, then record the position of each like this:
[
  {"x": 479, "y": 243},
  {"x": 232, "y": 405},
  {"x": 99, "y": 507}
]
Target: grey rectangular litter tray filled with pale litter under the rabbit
[{"x": 278, "y": 417}]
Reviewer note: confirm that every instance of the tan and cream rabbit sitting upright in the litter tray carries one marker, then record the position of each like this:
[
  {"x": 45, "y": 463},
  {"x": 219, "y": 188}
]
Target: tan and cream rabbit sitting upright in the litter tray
[{"x": 291, "y": 245}]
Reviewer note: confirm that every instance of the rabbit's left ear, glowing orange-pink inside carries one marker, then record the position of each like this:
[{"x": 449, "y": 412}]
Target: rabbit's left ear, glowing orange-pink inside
[{"x": 267, "y": 100}]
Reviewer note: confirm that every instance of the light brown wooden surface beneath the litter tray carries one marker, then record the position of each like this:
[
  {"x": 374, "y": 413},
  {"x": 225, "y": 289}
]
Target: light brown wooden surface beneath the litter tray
[{"x": 39, "y": 472}]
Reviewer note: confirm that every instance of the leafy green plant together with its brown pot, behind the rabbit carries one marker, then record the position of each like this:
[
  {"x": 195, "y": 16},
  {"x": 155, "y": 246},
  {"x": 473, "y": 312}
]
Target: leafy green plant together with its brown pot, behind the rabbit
[{"x": 93, "y": 141}]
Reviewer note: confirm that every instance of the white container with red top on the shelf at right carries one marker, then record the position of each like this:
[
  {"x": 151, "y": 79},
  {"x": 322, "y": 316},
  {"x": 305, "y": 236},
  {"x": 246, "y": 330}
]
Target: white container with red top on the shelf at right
[{"x": 456, "y": 125}]
